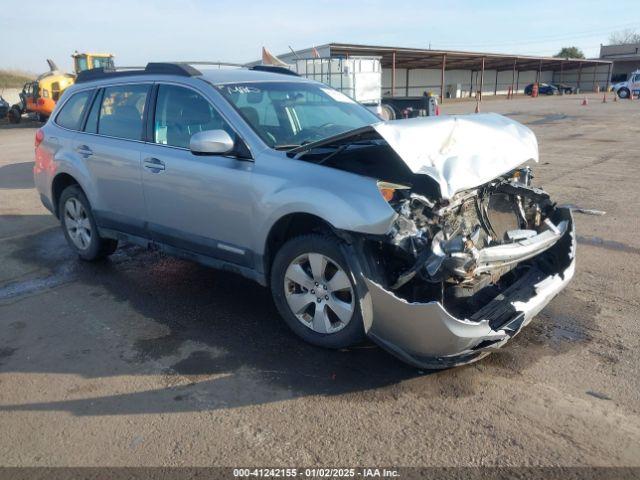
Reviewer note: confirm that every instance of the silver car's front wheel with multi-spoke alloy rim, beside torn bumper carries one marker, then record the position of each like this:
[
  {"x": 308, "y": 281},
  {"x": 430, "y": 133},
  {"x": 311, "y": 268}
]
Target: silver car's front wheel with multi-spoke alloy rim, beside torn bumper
[{"x": 314, "y": 291}]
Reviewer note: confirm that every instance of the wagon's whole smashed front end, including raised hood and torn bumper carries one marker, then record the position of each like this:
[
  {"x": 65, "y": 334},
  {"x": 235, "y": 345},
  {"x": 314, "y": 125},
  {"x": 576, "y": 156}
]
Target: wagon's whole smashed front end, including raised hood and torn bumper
[{"x": 474, "y": 251}]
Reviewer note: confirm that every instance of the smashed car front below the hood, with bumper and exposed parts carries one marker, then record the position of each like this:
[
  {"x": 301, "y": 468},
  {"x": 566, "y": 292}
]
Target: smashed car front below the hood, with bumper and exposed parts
[{"x": 455, "y": 278}]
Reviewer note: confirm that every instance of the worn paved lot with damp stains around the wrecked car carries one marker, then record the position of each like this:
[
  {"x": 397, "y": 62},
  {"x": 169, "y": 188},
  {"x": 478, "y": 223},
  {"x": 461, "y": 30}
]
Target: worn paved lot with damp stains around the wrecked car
[{"x": 149, "y": 360}]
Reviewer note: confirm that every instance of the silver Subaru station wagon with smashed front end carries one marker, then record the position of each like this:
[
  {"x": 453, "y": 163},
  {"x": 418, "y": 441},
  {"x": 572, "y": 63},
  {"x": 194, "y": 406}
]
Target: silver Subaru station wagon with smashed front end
[{"x": 426, "y": 234}]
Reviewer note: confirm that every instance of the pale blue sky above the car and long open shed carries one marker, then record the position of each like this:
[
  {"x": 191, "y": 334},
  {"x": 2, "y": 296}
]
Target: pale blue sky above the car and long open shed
[{"x": 141, "y": 31}]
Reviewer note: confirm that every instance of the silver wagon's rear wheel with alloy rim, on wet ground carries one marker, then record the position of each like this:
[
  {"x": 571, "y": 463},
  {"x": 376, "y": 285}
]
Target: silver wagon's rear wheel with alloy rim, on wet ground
[{"x": 80, "y": 228}]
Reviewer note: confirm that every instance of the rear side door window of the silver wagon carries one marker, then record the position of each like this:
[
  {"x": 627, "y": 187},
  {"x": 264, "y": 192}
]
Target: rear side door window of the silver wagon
[{"x": 121, "y": 111}]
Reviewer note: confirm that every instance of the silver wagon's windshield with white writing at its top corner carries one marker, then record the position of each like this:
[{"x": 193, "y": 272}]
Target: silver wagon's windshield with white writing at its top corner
[{"x": 290, "y": 114}]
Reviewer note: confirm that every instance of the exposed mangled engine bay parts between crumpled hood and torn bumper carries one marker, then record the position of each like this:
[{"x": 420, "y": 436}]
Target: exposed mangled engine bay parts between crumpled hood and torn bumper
[{"x": 460, "y": 251}]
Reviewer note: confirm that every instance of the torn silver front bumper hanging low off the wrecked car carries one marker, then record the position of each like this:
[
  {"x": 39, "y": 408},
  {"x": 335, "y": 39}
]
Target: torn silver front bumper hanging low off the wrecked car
[{"x": 427, "y": 336}]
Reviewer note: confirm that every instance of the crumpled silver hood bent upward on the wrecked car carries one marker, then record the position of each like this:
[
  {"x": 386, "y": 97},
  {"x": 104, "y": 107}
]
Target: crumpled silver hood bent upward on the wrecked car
[{"x": 460, "y": 151}]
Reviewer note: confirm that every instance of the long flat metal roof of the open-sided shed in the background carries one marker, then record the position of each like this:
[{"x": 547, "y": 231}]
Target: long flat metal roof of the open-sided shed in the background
[{"x": 458, "y": 60}]
